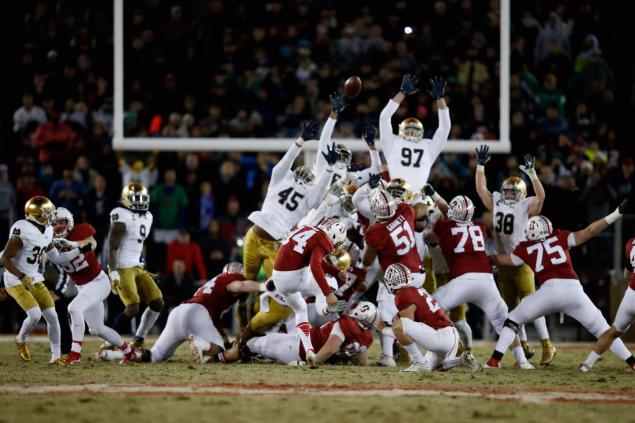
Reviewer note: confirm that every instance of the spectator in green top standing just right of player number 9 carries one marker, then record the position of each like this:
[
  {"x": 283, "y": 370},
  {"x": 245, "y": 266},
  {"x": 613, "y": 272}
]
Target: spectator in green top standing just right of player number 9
[{"x": 168, "y": 204}]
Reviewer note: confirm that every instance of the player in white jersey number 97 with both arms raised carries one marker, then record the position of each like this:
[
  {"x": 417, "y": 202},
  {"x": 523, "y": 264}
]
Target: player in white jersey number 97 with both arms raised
[{"x": 408, "y": 155}]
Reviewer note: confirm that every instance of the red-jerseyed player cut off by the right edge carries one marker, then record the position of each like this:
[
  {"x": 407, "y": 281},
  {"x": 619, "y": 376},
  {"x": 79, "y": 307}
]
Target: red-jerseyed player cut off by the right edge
[{"x": 625, "y": 313}]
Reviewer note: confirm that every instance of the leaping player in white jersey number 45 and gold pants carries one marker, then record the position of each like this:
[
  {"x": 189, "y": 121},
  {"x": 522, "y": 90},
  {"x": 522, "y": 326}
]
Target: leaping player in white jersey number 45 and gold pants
[{"x": 291, "y": 194}]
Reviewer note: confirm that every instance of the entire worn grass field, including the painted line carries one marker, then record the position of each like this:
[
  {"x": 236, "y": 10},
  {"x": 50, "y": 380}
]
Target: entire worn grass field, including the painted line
[{"x": 178, "y": 390}]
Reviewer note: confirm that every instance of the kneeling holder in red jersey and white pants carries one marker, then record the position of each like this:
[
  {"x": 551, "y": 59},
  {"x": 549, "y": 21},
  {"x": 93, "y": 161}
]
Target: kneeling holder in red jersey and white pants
[{"x": 422, "y": 323}]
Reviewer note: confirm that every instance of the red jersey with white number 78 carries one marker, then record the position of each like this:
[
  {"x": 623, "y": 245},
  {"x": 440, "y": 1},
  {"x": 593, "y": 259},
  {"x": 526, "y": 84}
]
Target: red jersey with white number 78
[{"x": 463, "y": 246}]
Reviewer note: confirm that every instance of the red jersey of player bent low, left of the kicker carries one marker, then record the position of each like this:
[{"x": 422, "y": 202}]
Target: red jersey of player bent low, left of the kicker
[{"x": 215, "y": 297}]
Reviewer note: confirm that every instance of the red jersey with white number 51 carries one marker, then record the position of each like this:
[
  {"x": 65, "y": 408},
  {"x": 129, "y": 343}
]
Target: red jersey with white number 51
[{"x": 394, "y": 239}]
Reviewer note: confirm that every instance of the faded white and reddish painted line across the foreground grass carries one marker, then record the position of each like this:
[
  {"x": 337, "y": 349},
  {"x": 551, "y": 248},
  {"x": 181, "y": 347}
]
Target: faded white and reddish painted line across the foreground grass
[{"x": 229, "y": 390}]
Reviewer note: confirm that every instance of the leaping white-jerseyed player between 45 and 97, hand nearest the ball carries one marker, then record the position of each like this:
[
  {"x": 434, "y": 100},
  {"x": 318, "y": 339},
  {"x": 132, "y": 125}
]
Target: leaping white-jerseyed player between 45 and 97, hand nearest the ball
[{"x": 342, "y": 168}]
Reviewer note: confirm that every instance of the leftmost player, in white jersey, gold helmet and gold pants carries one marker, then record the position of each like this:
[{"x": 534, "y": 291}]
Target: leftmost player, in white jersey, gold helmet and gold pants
[{"x": 29, "y": 239}]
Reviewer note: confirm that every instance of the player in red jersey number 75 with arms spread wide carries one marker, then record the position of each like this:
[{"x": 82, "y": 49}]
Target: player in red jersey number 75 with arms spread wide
[{"x": 547, "y": 252}]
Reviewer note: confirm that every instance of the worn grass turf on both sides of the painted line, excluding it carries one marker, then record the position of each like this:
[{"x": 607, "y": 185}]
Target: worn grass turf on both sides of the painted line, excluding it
[{"x": 609, "y": 374}]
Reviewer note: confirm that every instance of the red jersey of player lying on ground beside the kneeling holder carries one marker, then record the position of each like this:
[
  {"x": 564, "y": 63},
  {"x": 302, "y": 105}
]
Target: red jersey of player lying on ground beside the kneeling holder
[{"x": 357, "y": 340}]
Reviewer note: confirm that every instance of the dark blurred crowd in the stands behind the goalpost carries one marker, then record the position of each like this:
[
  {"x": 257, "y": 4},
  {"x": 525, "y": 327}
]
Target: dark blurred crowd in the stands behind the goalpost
[{"x": 258, "y": 69}]
